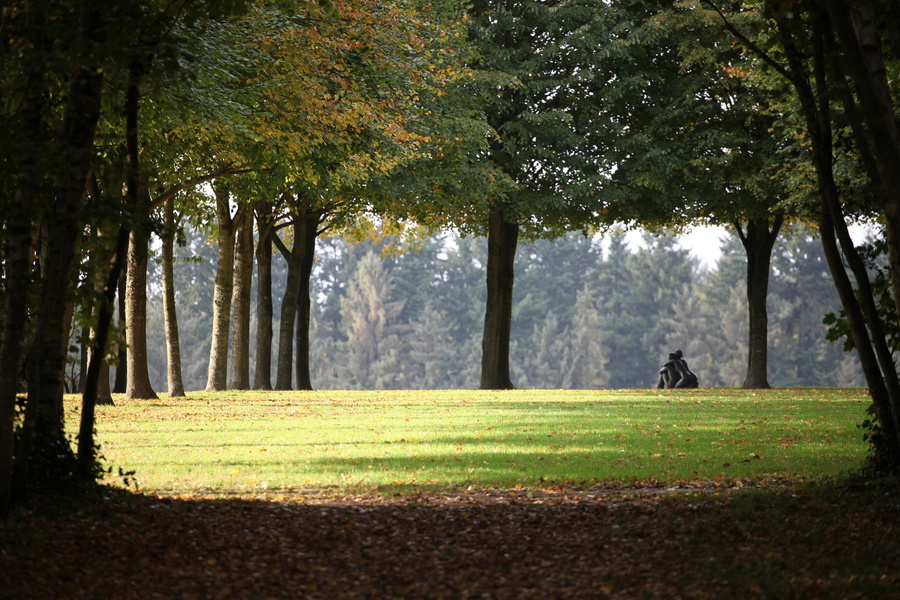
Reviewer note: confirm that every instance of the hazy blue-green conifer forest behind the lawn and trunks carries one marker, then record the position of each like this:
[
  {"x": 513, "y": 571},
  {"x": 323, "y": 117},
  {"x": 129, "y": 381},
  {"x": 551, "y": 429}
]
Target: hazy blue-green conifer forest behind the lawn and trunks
[{"x": 588, "y": 313}]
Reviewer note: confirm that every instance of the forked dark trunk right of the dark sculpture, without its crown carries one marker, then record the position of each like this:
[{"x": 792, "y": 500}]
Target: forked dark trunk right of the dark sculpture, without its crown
[{"x": 758, "y": 242}]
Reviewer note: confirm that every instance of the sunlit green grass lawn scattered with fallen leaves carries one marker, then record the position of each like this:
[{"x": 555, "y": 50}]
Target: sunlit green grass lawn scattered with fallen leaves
[{"x": 387, "y": 441}]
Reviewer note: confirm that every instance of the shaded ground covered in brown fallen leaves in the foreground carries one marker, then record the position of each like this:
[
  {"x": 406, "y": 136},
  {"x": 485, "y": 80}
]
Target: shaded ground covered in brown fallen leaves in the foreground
[{"x": 828, "y": 542}]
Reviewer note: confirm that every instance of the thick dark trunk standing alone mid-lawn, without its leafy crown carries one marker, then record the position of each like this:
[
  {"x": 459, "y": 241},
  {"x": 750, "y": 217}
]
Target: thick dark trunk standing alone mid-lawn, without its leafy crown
[{"x": 502, "y": 240}]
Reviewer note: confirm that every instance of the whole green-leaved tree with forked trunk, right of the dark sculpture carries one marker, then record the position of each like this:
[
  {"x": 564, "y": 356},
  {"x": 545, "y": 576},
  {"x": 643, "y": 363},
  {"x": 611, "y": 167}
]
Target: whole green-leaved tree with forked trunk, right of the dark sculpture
[{"x": 697, "y": 141}]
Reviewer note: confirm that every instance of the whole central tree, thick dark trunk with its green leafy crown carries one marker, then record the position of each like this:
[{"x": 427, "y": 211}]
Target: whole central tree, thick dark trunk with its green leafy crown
[{"x": 541, "y": 145}]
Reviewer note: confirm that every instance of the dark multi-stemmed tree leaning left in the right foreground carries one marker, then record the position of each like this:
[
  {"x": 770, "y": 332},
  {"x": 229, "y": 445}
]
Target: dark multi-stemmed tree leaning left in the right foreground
[{"x": 836, "y": 56}]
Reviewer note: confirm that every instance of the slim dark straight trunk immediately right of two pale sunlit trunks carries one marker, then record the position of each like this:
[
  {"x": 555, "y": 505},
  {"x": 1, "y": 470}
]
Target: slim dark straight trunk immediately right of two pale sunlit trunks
[{"x": 262, "y": 376}]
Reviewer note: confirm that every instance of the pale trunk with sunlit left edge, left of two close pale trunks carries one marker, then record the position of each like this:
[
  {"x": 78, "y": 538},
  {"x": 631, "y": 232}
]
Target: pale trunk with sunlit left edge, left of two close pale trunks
[{"x": 218, "y": 351}]
